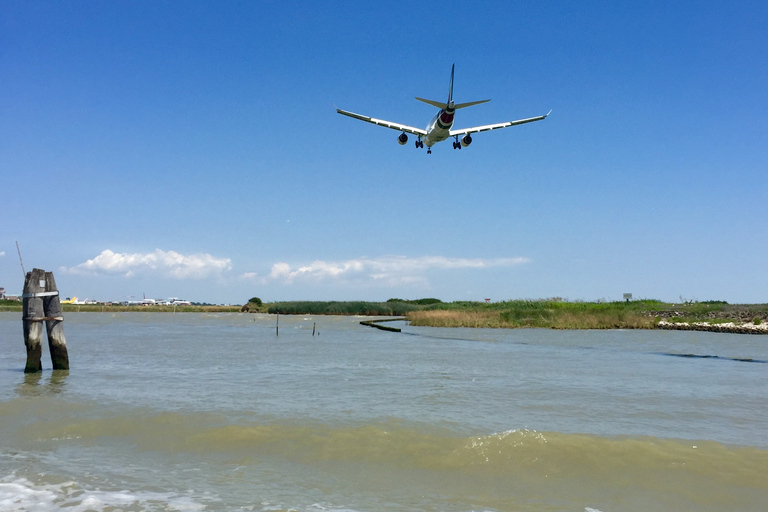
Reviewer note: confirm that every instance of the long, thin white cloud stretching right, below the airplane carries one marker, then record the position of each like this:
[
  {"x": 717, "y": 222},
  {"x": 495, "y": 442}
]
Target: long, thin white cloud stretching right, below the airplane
[{"x": 385, "y": 270}]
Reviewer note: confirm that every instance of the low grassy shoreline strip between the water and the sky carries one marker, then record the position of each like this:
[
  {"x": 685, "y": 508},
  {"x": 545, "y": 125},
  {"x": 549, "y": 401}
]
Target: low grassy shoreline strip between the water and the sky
[{"x": 549, "y": 314}]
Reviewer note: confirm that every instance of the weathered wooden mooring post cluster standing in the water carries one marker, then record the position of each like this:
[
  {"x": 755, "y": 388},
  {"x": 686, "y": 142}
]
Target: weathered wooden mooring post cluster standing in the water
[{"x": 41, "y": 304}]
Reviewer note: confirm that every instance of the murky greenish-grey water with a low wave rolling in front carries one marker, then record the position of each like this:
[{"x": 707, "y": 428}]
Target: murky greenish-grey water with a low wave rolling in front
[{"x": 191, "y": 412}]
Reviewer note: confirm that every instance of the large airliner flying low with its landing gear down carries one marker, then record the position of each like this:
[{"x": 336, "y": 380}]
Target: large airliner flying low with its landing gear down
[{"x": 439, "y": 128}]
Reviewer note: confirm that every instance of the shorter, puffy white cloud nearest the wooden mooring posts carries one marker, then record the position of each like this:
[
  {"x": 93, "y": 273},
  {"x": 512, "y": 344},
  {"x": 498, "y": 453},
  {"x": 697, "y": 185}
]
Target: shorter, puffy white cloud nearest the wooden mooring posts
[{"x": 167, "y": 263}]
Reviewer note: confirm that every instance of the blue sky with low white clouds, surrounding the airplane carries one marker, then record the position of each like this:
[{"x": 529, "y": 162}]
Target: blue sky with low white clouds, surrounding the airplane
[{"x": 191, "y": 149}]
